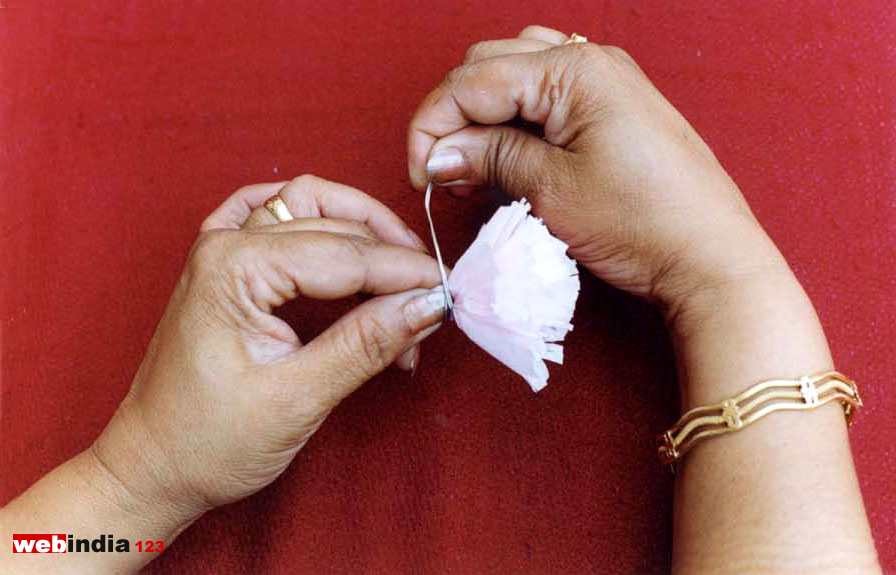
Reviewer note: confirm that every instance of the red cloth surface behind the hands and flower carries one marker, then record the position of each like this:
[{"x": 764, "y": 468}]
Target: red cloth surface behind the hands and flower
[{"x": 122, "y": 127}]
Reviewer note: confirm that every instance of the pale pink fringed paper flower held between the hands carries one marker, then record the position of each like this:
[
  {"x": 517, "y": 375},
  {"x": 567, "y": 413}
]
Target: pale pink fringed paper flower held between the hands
[{"x": 515, "y": 291}]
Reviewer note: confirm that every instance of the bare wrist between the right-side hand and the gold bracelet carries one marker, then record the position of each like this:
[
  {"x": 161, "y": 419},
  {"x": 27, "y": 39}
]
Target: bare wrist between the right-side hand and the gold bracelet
[{"x": 734, "y": 333}]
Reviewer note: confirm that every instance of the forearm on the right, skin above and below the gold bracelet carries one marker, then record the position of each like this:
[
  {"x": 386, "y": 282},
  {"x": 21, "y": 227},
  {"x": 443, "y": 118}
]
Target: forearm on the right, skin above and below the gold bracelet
[{"x": 781, "y": 495}]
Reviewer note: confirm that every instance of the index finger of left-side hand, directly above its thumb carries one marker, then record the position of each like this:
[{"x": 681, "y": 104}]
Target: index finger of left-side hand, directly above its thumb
[{"x": 268, "y": 269}]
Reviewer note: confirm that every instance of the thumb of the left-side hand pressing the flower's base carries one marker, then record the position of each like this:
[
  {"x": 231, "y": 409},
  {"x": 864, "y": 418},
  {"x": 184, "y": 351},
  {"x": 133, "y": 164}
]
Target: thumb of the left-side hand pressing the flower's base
[{"x": 365, "y": 341}]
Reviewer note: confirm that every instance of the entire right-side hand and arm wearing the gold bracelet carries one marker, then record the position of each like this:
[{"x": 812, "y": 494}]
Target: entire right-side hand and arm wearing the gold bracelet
[{"x": 642, "y": 203}]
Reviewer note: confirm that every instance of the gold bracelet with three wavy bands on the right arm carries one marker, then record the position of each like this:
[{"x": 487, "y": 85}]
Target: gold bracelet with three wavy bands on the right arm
[{"x": 765, "y": 397}]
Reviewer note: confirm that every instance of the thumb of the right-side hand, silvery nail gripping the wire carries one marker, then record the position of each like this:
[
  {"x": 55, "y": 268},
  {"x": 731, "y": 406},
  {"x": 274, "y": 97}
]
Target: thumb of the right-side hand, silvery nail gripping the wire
[{"x": 518, "y": 162}]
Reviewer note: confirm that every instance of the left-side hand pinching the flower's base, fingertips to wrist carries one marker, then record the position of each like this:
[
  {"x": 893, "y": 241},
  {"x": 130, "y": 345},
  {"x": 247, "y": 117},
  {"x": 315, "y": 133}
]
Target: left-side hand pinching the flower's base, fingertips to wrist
[{"x": 227, "y": 394}]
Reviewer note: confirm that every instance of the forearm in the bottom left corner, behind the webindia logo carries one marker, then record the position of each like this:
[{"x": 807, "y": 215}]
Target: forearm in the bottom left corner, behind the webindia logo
[{"x": 83, "y": 498}]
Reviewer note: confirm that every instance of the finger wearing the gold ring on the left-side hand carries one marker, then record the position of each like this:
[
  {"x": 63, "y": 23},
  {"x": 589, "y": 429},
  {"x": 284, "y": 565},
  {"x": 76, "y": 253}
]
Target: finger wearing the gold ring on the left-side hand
[{"x": 312, "y": 197}]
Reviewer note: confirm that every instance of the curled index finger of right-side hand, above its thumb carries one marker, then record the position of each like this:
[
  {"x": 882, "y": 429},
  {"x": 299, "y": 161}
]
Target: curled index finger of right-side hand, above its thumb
[{"x": 534, "y": 86}]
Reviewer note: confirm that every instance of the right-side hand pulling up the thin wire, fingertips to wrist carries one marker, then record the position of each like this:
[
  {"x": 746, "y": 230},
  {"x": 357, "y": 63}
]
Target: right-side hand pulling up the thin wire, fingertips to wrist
[{"x": 620, "y": 175}]
